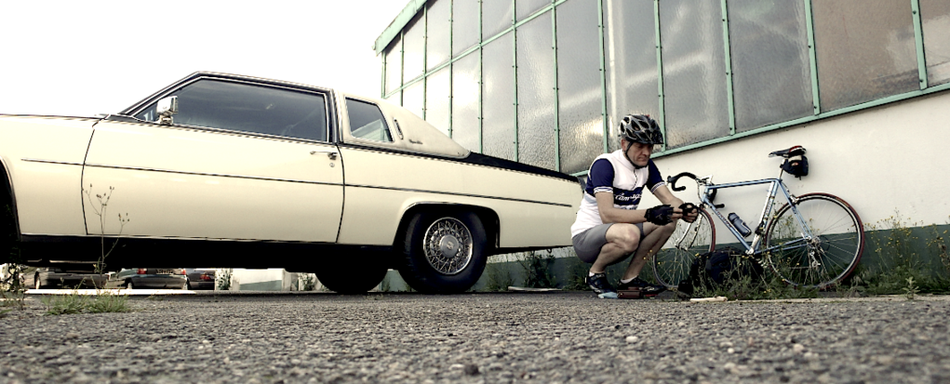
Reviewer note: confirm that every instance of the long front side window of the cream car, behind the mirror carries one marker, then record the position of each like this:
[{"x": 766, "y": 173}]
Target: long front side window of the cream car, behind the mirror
[{"x": 249, "y": 108}]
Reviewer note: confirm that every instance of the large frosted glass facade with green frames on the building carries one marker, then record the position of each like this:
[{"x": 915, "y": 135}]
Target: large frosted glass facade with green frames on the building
[{"x": 543, "y": 82}]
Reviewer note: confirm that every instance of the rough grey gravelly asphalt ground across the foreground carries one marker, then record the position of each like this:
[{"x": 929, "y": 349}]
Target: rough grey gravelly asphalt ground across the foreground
[{"x": 480, "y": 338}]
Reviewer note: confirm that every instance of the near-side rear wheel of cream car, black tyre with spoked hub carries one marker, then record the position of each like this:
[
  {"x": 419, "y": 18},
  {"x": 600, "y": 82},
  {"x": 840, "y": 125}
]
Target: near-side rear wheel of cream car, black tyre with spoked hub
[{"x": 443, "y": 252}]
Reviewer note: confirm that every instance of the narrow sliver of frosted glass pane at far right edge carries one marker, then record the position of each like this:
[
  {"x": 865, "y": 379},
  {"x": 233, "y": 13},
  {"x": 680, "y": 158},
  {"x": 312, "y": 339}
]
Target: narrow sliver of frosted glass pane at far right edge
[{"x": 936, "y": 20}]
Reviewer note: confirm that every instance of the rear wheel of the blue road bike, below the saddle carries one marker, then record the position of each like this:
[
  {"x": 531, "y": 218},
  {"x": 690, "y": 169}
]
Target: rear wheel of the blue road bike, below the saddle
[{"x": 823, "y": 255}]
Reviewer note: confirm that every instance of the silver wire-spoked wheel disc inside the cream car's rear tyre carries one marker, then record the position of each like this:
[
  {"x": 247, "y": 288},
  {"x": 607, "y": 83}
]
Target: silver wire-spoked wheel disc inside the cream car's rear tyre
[{"x": 448, "y": 246}]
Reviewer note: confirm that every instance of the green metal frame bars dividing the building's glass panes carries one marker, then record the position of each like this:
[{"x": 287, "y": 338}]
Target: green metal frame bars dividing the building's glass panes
[{"x": 396, "y": 29}]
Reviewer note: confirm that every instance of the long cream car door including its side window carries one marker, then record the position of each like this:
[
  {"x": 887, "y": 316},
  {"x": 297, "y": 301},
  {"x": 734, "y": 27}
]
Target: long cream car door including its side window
[{"x": 240, "y": 161}]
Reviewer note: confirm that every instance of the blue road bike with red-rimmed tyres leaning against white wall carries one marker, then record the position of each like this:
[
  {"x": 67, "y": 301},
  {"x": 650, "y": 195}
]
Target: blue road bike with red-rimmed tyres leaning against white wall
[{"x": 814, "y": 240}]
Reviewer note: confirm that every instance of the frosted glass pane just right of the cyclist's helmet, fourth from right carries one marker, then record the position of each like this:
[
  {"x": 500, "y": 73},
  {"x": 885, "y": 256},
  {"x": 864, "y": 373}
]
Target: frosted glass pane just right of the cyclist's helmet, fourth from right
[{"x": 694, "y": 73}]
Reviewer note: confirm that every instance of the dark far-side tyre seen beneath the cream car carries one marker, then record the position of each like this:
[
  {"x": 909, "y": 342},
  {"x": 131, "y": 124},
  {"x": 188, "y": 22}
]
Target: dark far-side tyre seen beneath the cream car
[{"x": 354, "y": 273}]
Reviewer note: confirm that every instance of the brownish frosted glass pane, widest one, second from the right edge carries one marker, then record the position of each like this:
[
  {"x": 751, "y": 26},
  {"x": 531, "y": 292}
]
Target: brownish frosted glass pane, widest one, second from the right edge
[{"x": 865, "y": 49}]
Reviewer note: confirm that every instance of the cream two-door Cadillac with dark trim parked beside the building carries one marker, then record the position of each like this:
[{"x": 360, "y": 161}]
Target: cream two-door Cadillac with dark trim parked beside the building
[{"x": 235, "y": 171}]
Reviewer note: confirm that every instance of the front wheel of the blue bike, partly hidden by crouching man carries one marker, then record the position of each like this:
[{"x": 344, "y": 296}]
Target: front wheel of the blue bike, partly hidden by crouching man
[{"x": 672, "y": 263}]
